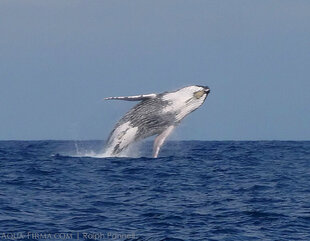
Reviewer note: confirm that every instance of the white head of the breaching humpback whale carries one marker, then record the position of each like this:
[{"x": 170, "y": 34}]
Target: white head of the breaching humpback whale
[{"x": 185, "y": 100}]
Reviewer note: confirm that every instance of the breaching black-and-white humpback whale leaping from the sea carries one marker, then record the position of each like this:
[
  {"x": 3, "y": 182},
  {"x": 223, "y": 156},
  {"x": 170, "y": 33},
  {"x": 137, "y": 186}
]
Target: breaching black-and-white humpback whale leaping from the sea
[{"x": 155, "y": 114}]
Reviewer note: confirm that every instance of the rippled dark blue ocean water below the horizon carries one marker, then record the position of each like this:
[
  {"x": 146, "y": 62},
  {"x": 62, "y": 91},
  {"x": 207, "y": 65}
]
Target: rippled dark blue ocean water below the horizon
[{"x": 194, "y": 191}]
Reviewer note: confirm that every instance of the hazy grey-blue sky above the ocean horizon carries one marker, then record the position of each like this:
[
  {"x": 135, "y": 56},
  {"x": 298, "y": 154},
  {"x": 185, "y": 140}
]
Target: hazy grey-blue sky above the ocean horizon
[{"x": 58, "y": 59}]
